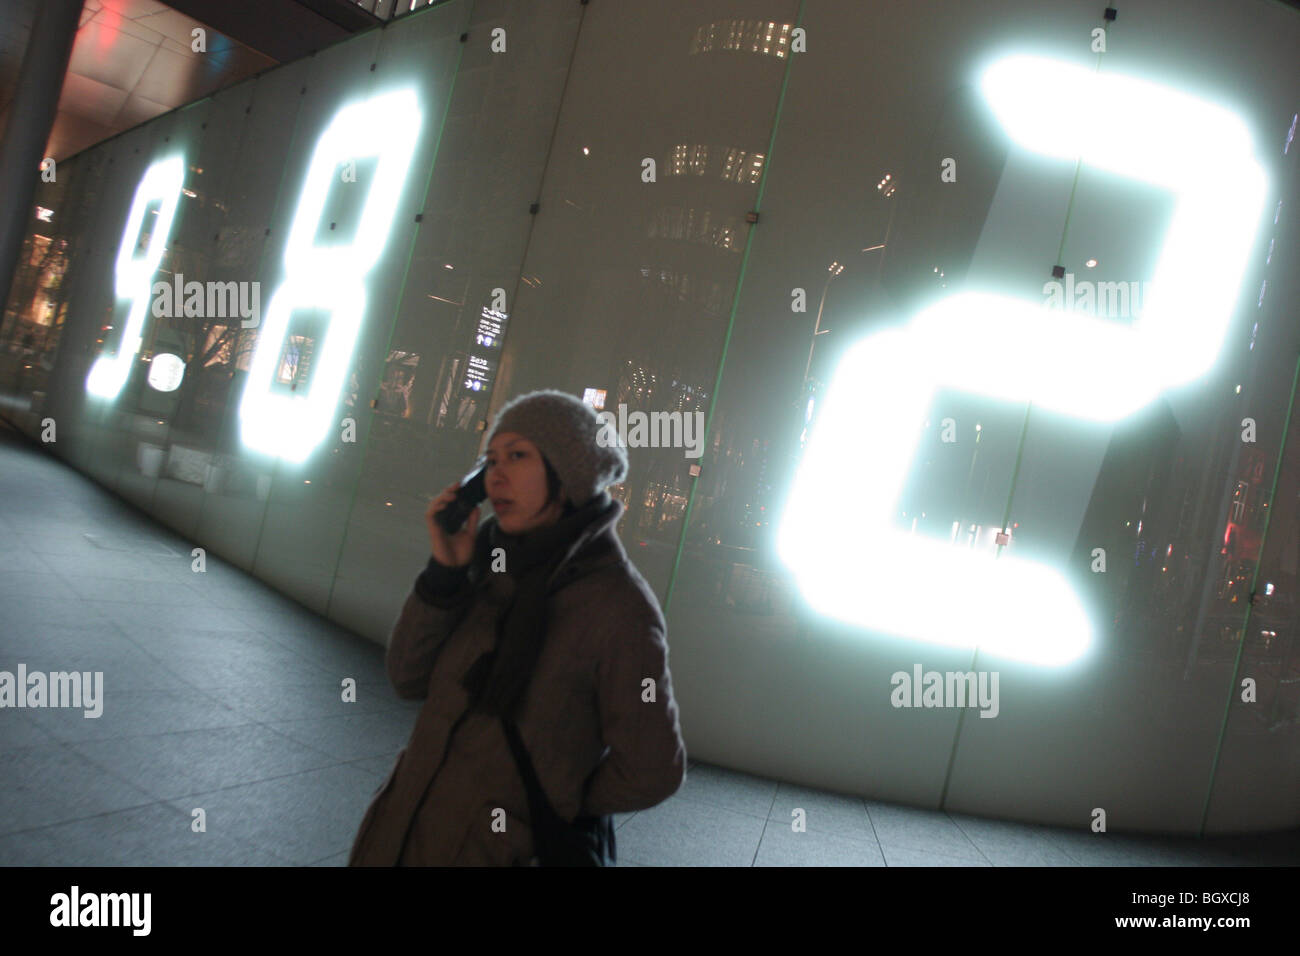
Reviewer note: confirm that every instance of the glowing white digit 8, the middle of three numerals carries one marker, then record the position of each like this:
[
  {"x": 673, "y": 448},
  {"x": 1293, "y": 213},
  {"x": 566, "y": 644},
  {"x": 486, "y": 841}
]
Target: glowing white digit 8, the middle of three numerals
[{"x": 330, "y": 279}]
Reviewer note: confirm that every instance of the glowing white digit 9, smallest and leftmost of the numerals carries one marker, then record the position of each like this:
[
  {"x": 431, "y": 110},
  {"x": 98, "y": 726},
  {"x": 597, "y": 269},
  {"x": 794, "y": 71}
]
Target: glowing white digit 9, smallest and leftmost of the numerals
[{"x": 135, "y": 276}]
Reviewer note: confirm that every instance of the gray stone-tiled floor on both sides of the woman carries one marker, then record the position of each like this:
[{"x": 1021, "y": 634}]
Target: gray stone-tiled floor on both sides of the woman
[{"x": 226, "y": 697}]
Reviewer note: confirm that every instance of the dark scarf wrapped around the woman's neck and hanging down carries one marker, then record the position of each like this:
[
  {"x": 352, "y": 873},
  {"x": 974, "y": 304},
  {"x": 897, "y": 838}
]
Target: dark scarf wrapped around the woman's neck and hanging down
[{"x": 497, "y": 681}]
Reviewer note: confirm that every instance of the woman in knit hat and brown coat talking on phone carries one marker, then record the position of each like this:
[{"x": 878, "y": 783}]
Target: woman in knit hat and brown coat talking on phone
[{"x": 541, "y": 657}]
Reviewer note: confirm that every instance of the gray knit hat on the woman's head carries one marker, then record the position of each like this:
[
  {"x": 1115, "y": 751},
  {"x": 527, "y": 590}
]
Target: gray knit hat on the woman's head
[{"x": 565, "y": 430}]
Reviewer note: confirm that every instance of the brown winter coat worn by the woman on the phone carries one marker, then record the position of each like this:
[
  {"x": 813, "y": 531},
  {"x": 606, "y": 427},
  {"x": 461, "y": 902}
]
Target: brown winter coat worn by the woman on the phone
[{"x": 597, "y": 745}]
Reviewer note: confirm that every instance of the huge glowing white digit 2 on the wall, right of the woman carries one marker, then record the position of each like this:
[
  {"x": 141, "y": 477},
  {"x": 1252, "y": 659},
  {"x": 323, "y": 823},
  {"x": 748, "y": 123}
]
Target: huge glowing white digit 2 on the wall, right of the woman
[{"x": 865, "y": 570}]
